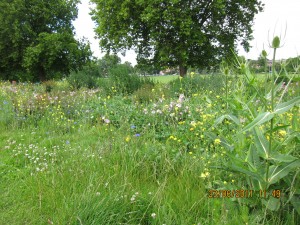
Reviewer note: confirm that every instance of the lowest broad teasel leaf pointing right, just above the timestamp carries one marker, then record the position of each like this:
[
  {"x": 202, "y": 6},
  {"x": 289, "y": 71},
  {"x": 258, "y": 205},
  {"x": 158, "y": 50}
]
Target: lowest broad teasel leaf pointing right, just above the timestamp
[{"x": 278, "y": 172}]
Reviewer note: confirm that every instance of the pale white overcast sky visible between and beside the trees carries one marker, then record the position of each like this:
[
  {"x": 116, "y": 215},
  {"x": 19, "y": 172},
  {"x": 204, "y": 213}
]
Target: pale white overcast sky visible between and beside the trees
[{"x": 279, "y": 18}]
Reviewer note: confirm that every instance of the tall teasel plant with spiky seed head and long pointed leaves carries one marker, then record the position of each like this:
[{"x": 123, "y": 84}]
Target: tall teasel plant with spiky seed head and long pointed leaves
[{"x": 268, "y": 164}]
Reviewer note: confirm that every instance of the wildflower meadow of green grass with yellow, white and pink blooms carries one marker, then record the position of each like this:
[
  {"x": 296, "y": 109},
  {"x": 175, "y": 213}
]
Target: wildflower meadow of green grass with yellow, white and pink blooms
[{"x": 204, "y": 150}]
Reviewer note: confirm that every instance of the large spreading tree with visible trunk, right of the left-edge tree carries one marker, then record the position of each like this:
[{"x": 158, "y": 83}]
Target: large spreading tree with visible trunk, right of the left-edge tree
[{"x": 176, "y": 32}]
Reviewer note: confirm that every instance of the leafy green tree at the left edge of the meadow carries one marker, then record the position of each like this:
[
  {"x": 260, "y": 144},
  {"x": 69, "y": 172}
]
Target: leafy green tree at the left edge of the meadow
[{"x": 37, "y": 39}]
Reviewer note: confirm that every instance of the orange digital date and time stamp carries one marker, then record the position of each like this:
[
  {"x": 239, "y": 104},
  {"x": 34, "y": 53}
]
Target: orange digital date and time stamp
[{"x": 242, "y": 193}]
